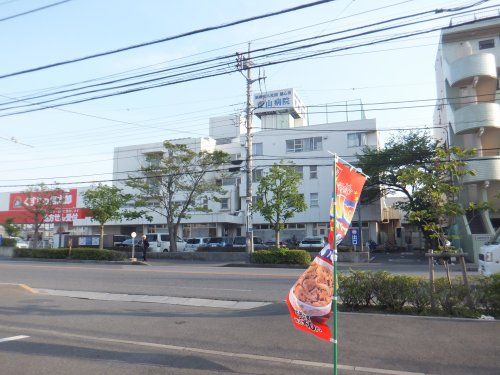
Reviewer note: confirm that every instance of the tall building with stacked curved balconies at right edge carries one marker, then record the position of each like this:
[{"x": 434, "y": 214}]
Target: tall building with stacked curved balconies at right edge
[{"x": 468, "y": 115}]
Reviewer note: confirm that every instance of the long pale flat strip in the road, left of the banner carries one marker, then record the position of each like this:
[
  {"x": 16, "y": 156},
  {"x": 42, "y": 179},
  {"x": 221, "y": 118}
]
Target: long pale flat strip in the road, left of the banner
[{"x": 183, "y": 301}]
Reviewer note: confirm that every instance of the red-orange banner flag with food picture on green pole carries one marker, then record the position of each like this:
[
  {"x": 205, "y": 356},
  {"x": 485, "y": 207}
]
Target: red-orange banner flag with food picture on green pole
[{"x": 310, "y": 298}]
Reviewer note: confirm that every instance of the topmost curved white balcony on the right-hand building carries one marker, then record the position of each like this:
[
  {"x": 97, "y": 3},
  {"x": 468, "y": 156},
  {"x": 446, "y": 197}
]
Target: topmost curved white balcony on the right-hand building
[{"x": 463, "y": 71}]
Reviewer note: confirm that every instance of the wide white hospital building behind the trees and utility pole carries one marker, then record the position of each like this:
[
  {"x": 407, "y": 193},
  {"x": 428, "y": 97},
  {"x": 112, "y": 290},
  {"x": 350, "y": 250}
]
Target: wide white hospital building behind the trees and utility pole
[{"x": 284, "y": 135}]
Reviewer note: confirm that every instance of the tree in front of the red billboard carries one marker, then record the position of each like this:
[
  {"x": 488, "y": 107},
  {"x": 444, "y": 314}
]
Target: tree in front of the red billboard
[{"x": 41, "y": 202}]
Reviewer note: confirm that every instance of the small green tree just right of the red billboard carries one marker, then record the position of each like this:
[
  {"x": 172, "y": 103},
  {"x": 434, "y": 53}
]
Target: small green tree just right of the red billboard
[{"x": 106, "y": 203}]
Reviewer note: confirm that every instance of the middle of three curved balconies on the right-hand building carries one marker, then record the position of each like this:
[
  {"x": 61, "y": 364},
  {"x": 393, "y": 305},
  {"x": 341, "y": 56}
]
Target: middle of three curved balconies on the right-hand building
[{"x": 470, "y": 118}]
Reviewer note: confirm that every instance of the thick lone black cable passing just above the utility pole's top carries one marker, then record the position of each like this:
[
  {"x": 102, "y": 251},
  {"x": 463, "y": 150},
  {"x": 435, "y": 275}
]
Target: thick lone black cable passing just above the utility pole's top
[{"x": 162, "y": 40}]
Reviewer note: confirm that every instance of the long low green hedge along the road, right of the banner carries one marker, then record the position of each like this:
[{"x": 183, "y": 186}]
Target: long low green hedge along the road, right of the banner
[{"x": 411, "y": 294}]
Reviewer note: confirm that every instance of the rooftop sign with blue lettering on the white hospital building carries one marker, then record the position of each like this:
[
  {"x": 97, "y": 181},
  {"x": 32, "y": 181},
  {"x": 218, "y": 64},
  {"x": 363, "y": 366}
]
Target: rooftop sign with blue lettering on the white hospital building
[{"x": 279, "y": 101}]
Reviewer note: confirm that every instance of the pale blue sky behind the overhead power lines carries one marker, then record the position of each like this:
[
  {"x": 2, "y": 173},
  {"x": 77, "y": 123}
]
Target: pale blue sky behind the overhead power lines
[{"x": 74, "y": 143}]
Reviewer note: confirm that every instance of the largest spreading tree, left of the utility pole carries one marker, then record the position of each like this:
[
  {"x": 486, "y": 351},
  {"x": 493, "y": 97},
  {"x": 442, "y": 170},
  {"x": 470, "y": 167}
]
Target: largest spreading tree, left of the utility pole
[{"x": 177, "y": 181}]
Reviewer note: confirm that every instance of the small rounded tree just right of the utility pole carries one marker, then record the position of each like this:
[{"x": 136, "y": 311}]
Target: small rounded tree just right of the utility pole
[{"x": 278, "y": 196}]
